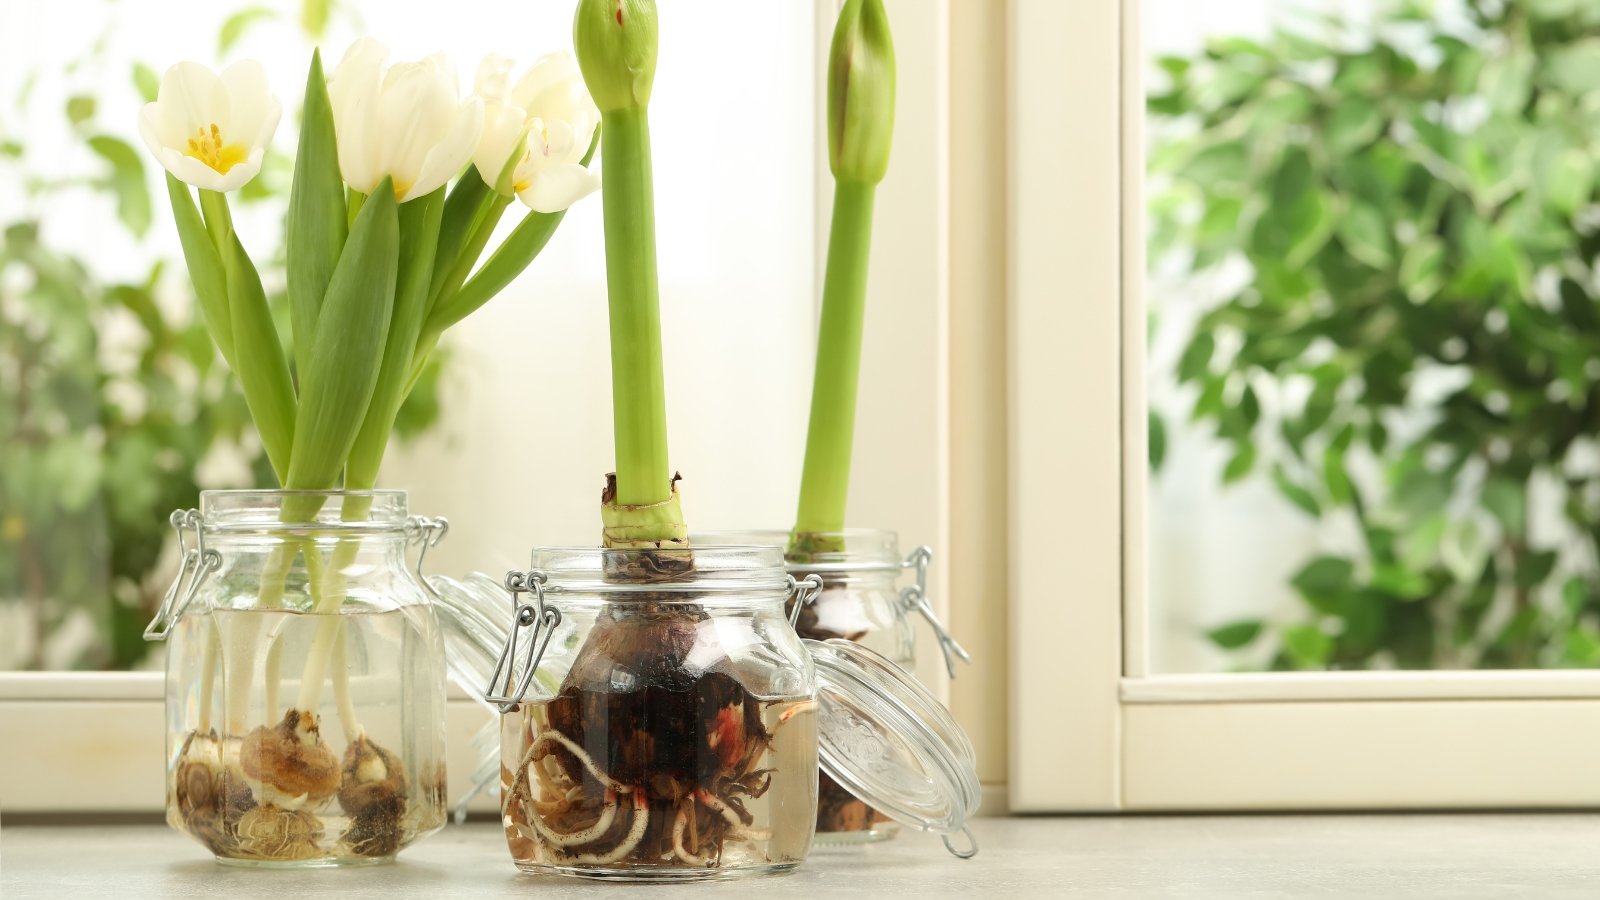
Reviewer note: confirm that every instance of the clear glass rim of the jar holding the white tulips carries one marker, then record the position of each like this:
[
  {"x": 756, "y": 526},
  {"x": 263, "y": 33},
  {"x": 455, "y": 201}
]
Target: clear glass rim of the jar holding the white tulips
[{"x": 322, "y": 512}]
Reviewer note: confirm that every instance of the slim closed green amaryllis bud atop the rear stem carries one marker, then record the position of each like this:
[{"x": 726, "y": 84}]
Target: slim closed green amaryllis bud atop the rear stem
[{"x": 862, "y": 94}]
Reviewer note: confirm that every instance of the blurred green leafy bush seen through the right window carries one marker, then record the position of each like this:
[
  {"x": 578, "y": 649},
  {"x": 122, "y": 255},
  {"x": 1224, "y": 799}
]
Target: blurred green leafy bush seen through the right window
[{"x": 1415, "y": 356}]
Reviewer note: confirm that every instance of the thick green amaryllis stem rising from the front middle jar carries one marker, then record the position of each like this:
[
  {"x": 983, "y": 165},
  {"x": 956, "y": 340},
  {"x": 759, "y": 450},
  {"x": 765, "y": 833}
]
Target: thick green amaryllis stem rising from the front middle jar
[{"x": 639, "y": 403}]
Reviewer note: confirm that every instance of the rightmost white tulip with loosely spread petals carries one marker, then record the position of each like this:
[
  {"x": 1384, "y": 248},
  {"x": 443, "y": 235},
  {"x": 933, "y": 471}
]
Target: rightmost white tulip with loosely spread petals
[{"x": 551, "y": 119}]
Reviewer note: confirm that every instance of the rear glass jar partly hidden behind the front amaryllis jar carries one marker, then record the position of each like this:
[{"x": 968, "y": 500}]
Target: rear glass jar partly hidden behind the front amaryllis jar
[{"x": 863, "y": 603}]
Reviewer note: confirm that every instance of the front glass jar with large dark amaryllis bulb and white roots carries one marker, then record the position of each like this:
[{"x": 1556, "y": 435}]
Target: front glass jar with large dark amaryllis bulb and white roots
[{"x": 660, "y": 721}]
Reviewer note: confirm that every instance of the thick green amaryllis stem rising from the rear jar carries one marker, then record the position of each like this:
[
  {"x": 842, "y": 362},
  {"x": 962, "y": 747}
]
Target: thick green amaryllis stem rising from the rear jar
[{"x": 825, "y": 486}]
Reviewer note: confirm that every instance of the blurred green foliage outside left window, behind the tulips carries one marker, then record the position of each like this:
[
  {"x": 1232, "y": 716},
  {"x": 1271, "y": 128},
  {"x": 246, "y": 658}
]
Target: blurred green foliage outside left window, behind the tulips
[{"x": 110, "y": 401}]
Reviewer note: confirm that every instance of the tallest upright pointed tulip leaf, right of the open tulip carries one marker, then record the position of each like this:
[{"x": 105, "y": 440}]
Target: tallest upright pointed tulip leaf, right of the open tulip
[{"x": 318, "y": 215}]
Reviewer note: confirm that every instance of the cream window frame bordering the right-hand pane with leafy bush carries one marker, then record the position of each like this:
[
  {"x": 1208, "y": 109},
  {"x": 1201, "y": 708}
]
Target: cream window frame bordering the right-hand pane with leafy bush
[{"x": 1092, "y": 728}]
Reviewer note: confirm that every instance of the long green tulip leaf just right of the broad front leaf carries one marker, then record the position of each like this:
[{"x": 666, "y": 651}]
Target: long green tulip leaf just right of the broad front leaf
[{"x": 418, "y": 243}]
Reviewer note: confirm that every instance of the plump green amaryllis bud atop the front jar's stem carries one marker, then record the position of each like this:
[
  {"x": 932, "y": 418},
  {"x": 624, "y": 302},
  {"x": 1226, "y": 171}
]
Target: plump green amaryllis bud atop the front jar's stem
[{"x": 617, "y": 50}]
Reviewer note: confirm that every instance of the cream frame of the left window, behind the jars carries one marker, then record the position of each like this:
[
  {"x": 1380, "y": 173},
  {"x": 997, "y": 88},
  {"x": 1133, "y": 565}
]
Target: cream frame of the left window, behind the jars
[{"x": 95, "y": 742}]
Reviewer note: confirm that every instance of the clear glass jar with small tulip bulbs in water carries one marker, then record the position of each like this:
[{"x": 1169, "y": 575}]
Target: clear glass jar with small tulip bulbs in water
[{"x": 305, "y": 683}]
